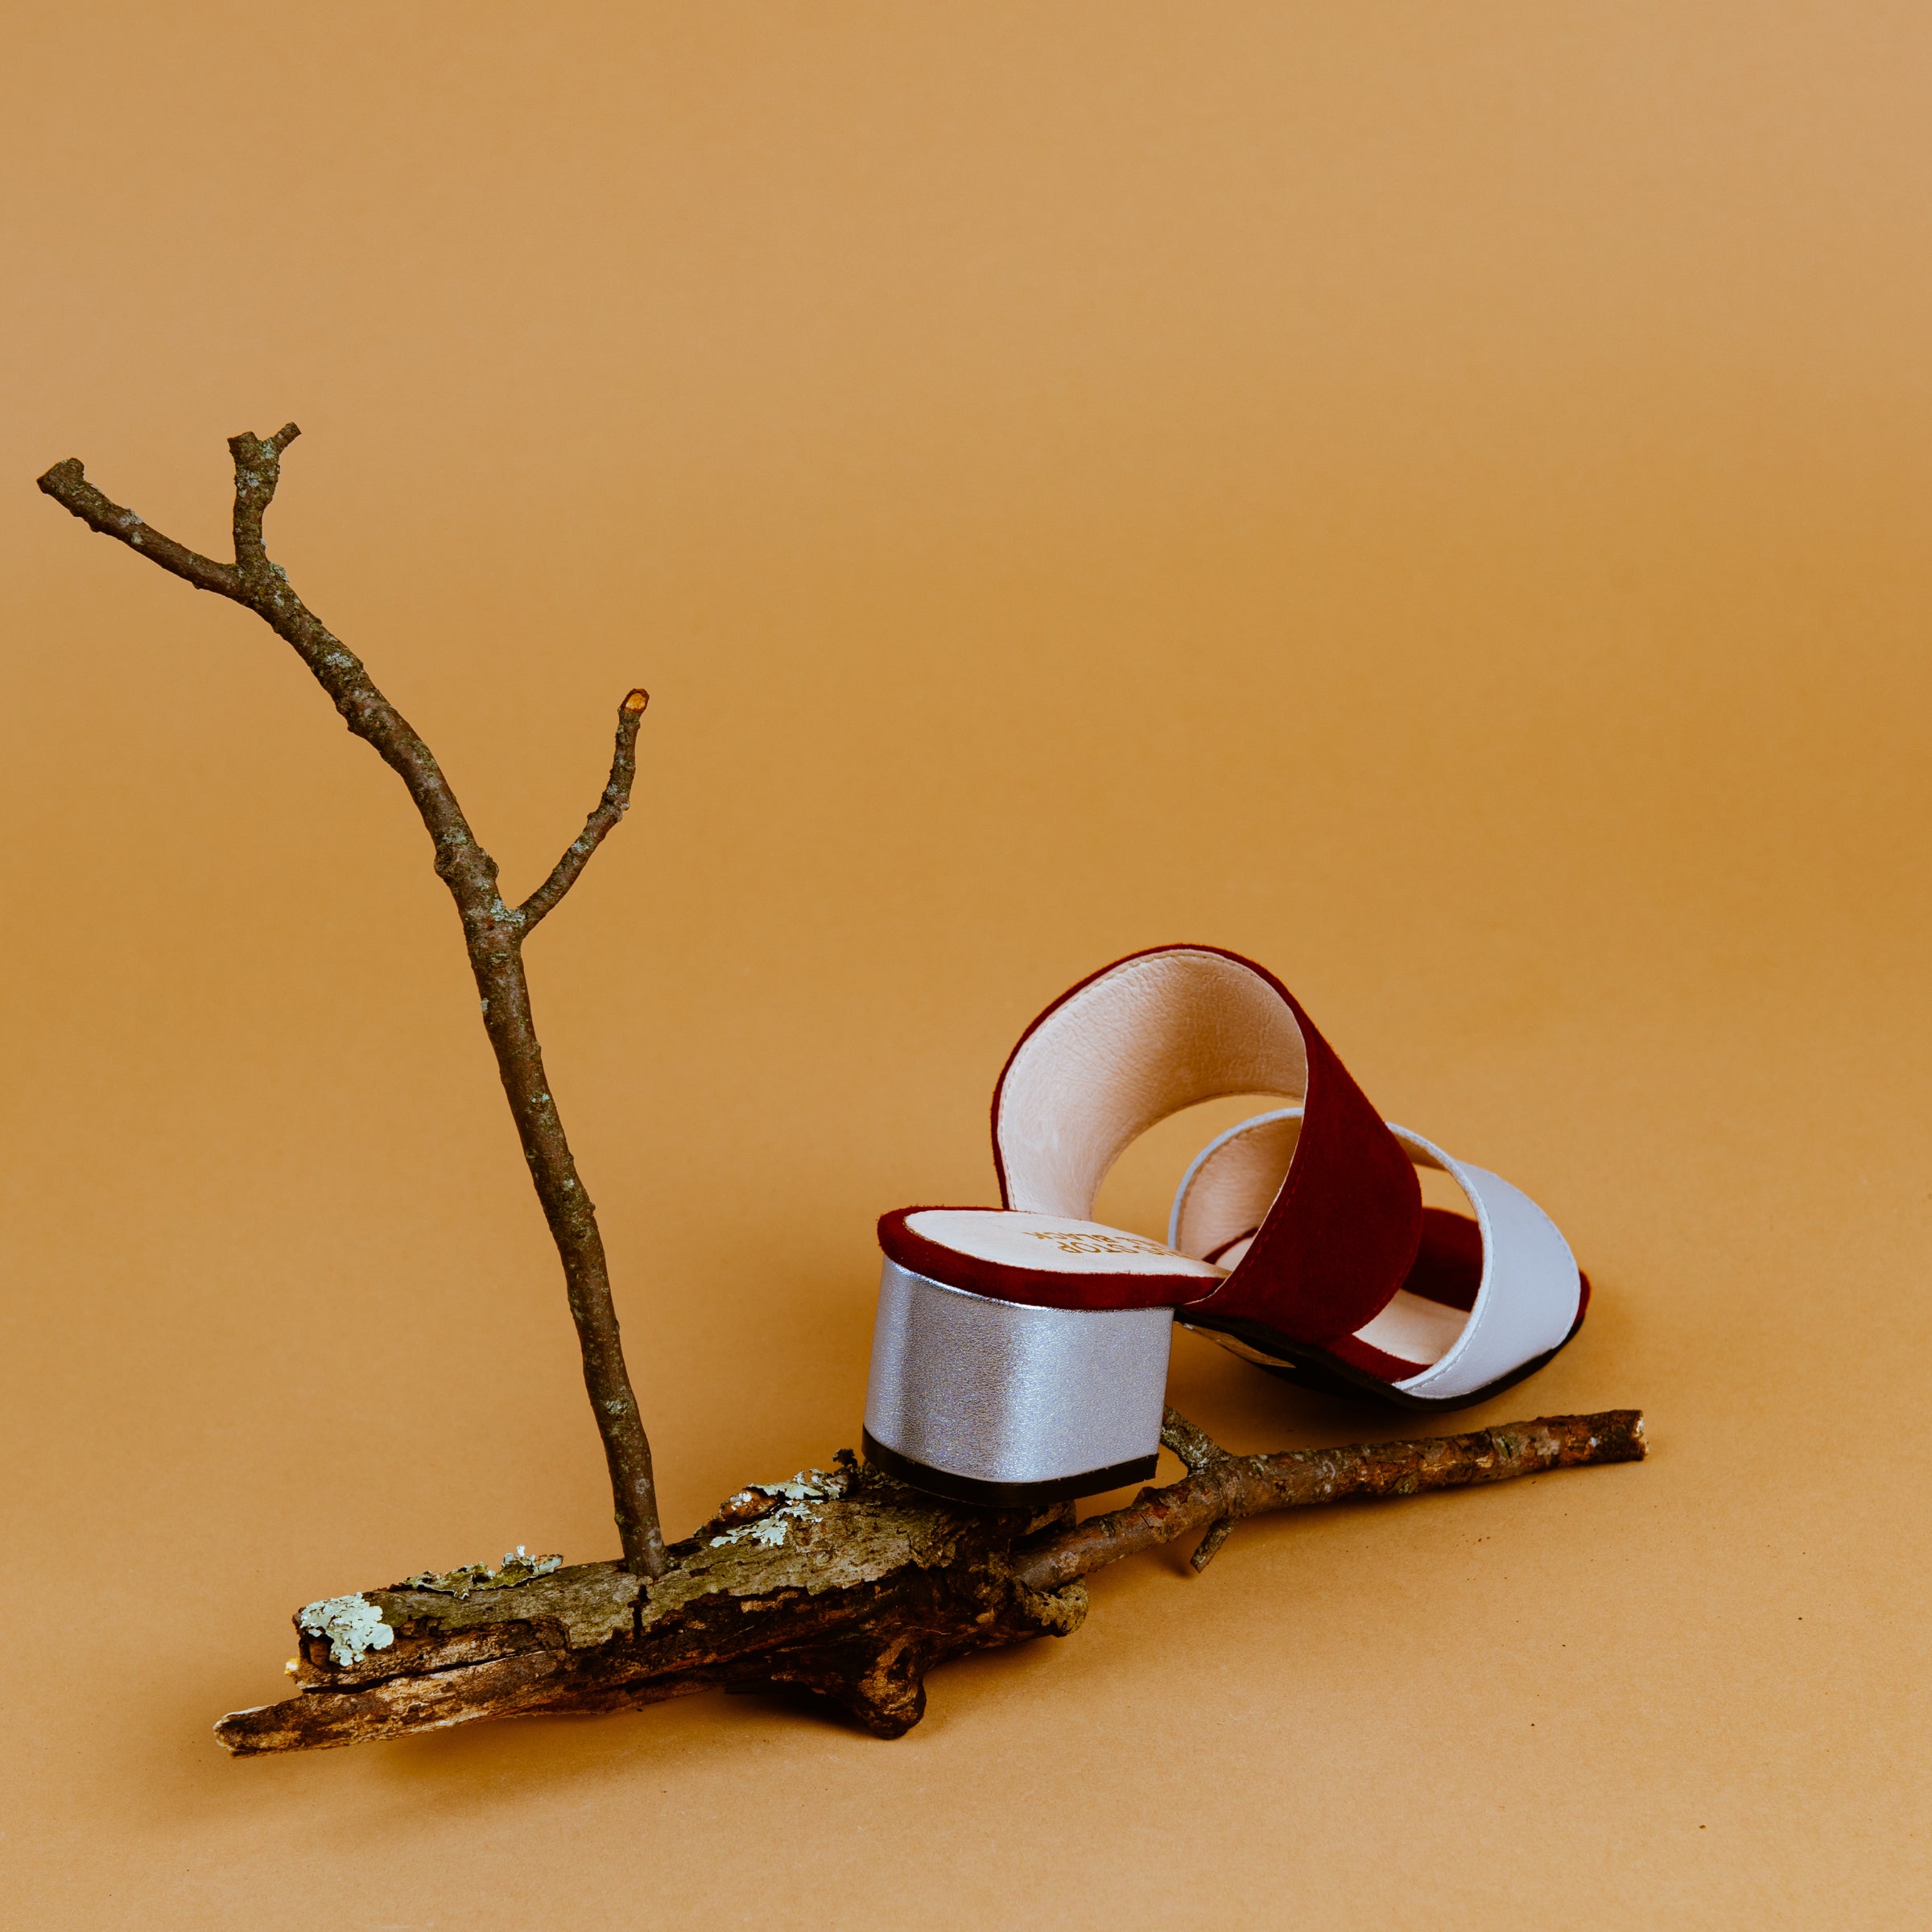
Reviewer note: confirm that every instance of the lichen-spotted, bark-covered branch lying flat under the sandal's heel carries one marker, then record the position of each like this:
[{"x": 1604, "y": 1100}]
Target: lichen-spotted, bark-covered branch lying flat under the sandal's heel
[{"x": 841, "y": 1583}]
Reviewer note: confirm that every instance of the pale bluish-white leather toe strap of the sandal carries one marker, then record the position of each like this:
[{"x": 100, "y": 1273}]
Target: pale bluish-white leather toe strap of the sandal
[{"x": 1531, "y": 1290}]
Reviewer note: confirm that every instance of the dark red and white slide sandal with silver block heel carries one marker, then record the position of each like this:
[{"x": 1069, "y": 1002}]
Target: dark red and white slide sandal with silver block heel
[{"x": 1021, "y": 1351}]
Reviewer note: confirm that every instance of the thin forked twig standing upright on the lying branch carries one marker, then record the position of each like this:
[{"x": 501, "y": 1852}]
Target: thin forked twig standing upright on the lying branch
[{"x": 494, "y": 932}]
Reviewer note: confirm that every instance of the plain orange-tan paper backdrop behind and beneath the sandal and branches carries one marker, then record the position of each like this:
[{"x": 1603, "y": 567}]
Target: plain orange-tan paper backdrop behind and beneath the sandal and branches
[{"x": 1431, "y": 497}]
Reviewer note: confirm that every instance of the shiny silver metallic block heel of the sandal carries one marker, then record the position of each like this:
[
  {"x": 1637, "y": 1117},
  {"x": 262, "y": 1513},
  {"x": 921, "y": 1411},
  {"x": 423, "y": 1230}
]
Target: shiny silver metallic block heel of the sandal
[{"x": 1008, "y": 1406}]
